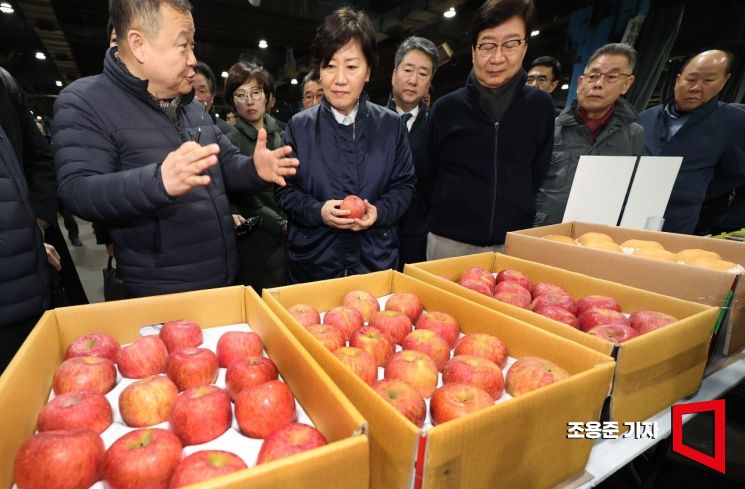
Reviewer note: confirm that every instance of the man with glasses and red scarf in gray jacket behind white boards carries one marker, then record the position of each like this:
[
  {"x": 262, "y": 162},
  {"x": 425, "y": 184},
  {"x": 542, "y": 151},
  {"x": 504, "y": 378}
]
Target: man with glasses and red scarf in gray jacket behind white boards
[{"x": 598, "y": 122}]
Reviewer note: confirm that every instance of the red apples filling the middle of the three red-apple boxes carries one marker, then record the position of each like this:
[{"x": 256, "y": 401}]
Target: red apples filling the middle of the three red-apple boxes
[{"x": 412, "y": 357}]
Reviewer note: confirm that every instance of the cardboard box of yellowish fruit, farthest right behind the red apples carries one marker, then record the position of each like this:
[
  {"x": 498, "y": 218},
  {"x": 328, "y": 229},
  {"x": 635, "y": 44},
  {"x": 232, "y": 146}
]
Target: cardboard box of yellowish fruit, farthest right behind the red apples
[{"x": 693, "y": 268}]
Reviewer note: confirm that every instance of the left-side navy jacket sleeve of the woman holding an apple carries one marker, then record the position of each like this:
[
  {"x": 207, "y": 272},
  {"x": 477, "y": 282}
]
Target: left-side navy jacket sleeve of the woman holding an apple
[{"x": 300, "y": 207}]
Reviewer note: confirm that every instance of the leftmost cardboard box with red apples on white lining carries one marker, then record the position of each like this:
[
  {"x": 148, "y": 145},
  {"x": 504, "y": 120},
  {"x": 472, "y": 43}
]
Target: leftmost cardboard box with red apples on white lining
[{"x": 226, "y": 399}]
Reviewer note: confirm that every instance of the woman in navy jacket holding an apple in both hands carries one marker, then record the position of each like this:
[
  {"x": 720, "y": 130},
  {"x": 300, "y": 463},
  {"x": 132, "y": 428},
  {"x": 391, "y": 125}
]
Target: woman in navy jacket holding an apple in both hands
[{"x": 347, "y": 146}]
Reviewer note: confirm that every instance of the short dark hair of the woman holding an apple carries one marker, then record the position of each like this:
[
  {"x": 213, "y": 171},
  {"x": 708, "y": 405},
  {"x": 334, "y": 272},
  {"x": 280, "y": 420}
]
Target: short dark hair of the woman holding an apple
[{"x": 338, "y": 29}]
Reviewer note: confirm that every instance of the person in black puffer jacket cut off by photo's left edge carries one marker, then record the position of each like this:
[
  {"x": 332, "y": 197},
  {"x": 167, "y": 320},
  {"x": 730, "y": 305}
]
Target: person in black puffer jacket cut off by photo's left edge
[{"x": 27, "y": 193}]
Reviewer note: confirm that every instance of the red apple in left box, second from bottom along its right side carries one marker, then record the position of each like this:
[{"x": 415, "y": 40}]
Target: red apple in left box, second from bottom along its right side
[{"x": 264, "y": 408}]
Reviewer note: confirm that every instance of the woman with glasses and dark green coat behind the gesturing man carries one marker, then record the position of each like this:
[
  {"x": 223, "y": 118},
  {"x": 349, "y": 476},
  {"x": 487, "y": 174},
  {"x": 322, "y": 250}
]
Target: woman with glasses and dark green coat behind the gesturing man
[{"x": 262, "y": 249}]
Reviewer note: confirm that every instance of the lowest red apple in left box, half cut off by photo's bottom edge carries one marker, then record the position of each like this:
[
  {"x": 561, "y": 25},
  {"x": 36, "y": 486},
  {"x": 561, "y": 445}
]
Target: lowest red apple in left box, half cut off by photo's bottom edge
[{"x": 205, "y": 465}]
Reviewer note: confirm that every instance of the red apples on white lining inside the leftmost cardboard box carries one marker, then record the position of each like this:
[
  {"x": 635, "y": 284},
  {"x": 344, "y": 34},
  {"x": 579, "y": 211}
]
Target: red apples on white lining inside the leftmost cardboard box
[{"x": 128, "y": 415}]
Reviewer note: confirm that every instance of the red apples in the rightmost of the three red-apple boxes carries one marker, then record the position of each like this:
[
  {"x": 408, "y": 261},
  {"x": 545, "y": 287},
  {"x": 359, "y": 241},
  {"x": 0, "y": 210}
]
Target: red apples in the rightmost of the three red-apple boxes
[{"x": 597, "y": 315}]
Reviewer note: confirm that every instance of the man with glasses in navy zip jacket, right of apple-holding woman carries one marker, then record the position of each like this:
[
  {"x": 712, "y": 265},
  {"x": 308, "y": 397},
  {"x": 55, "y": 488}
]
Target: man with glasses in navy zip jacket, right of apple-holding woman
[{"x": 488, "y": 144}]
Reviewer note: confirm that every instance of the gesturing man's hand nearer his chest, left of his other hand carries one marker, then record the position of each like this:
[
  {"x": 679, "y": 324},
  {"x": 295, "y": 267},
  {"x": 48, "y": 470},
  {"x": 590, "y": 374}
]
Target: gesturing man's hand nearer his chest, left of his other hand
[{"x": 182, "y": 169}]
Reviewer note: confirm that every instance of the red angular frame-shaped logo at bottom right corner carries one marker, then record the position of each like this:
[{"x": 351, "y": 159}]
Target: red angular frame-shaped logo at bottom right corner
[{"x": 717, "y": 461}]
